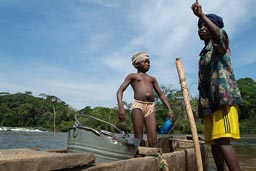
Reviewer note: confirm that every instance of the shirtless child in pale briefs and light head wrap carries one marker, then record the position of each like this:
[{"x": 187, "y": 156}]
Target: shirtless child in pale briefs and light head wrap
[{"x": 143, "y": 104}]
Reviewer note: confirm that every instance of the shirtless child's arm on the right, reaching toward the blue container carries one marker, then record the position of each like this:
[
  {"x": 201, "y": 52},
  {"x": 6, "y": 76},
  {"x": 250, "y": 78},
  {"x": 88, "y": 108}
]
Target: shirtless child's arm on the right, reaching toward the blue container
[{"x": 163, "y": 99}]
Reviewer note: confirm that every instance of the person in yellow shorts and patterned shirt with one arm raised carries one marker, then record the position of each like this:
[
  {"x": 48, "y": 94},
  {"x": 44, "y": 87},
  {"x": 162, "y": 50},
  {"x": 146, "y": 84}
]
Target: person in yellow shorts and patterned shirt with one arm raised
[{"x": 218, "y": 91}]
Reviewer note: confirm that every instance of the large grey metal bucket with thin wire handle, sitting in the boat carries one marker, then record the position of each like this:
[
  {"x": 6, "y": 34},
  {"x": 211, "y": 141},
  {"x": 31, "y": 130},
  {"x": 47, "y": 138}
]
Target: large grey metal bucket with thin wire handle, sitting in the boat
[{"x": 106, "y": 146}]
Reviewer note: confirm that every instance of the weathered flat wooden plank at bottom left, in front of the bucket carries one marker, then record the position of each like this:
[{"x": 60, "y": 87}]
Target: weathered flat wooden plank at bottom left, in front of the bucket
[{"x": 26, "y": 159}]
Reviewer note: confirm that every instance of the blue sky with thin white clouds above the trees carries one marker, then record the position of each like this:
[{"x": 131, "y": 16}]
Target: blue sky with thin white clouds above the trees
[{"x": 80, "y": 50}]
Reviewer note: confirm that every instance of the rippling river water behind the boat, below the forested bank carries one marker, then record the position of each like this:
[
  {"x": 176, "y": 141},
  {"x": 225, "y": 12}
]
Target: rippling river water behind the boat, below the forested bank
[{"x": 245, "y": 148}]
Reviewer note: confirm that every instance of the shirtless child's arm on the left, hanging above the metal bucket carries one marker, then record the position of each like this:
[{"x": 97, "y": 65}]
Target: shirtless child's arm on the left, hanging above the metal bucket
[{"x": 119, "y": 95}]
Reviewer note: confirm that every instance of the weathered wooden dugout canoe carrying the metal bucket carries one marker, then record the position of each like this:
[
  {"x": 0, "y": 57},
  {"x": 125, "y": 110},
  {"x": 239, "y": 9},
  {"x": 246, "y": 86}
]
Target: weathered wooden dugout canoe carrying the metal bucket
[{"x": 181, "y": 157}]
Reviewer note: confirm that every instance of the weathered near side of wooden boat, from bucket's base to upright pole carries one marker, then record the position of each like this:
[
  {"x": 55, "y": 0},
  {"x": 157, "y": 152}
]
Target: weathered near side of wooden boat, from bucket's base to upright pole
[{"x": 177, "y": 161}]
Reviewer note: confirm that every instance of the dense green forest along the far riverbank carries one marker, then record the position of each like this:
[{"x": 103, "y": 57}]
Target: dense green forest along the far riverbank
[{"x": 48, "y": 112}]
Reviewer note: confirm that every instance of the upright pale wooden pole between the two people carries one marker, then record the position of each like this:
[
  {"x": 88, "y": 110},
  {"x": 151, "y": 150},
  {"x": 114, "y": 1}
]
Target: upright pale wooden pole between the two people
[{"x": 190, "y": 114}]
